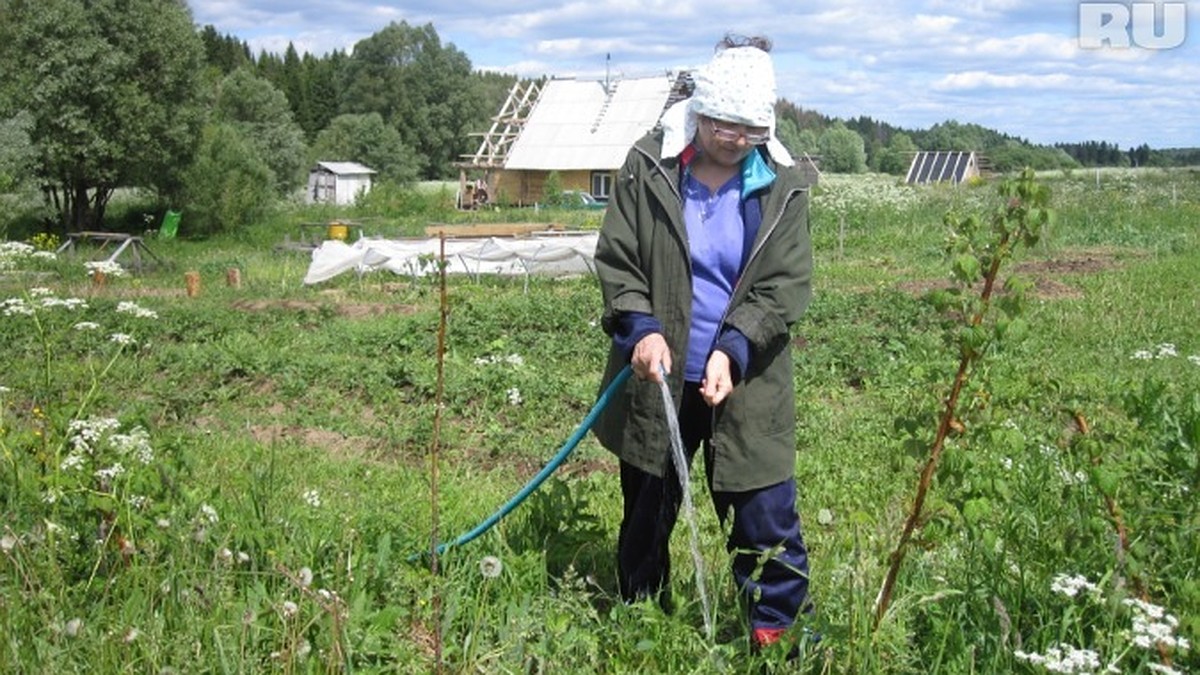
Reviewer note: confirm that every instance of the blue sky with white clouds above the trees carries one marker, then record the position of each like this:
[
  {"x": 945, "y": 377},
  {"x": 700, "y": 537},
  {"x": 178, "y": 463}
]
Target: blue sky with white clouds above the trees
[{"x": 1047, "y": 71}]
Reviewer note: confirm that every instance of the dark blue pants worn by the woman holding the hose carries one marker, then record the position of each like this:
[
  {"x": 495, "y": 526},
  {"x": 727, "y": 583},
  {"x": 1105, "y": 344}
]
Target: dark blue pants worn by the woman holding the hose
[{"x": 764, "y": 521}]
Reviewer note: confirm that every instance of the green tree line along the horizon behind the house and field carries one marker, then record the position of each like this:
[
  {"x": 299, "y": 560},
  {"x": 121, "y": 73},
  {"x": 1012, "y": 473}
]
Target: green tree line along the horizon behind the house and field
[{"x": 107, "y": 94}]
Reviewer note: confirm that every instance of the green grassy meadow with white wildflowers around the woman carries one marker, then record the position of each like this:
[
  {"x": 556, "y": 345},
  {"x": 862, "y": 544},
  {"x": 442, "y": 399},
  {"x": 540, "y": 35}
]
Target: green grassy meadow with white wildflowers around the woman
[{"x": 241, "y": 481}]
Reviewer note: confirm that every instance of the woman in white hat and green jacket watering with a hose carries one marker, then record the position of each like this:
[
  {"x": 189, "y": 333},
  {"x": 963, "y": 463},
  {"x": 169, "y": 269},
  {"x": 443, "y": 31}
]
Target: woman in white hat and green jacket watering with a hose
[{"x": 705, "y": 262}]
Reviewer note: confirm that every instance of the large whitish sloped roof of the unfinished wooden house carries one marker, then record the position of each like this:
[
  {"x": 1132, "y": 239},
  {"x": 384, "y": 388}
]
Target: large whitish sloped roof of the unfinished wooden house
[{"x": 578, "y": 126}]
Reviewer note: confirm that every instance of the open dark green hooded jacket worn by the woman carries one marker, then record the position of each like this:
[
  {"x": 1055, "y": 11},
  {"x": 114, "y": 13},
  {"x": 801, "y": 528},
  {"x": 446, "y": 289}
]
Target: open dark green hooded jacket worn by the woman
[{"x": 644, "y": 266}]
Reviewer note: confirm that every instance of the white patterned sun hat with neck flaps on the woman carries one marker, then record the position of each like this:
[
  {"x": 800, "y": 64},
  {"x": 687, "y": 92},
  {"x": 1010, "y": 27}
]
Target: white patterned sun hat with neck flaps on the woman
[{"x": 739, "y": 86}]
